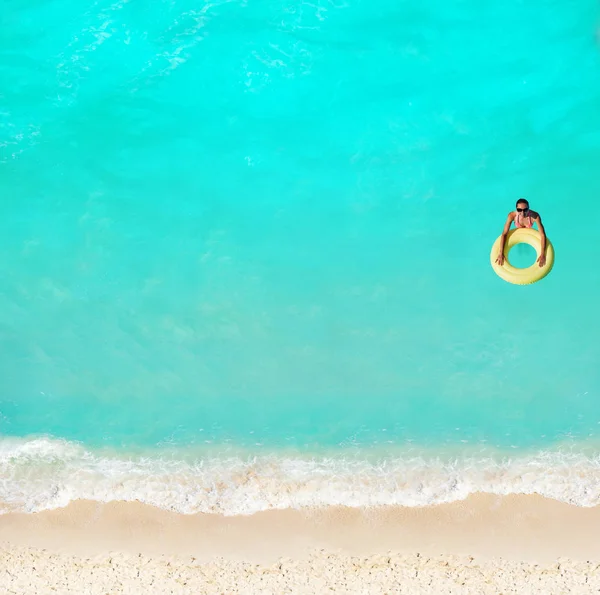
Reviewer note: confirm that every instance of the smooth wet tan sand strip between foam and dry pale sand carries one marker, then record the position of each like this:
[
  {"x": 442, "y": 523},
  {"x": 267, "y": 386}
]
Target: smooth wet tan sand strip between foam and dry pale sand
[{"x": 516, "y": 527}]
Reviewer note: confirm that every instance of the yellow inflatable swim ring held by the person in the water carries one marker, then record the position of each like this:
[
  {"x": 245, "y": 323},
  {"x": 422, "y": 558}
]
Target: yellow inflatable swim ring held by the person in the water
[{"x": 531, "y": 274}]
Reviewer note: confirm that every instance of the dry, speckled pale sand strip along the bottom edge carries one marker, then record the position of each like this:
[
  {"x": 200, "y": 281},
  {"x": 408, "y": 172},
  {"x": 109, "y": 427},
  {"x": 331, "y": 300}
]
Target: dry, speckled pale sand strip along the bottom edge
[{"x": 28, "y": 570}]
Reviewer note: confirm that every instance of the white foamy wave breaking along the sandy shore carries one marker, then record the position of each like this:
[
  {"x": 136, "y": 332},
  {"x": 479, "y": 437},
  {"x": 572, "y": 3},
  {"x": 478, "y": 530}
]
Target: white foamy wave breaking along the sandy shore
[{"x": 43, "y": 473}]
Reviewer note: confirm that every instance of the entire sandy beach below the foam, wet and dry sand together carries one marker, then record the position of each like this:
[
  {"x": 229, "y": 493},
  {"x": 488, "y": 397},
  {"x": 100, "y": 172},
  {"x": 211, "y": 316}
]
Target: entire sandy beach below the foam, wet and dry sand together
[{"x": 486, "y": 544}]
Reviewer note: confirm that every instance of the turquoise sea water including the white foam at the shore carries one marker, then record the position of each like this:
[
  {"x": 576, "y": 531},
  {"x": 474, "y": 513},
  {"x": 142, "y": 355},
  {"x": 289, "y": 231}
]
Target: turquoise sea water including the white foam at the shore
[{"x": 244, "y": 252}]
